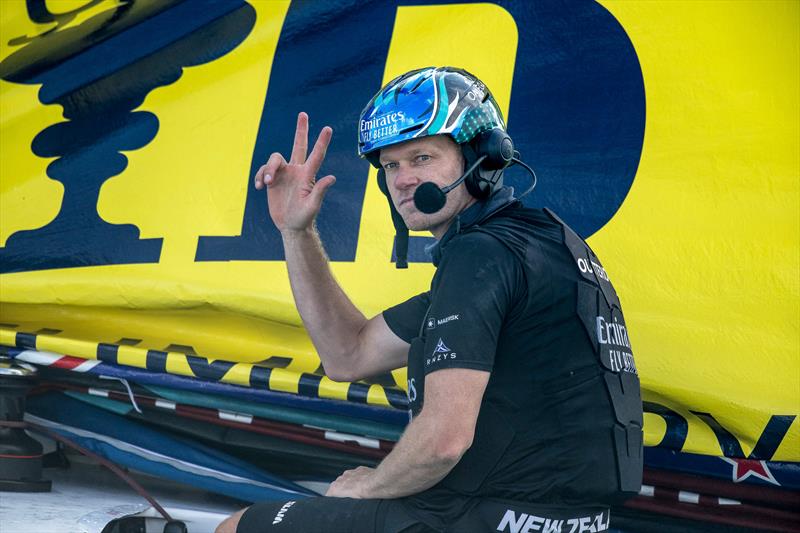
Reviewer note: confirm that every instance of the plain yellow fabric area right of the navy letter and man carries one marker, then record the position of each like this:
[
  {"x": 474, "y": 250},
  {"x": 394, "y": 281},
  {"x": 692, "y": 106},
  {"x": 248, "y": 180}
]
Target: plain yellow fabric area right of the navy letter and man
[{"x": 705, "y": 247}]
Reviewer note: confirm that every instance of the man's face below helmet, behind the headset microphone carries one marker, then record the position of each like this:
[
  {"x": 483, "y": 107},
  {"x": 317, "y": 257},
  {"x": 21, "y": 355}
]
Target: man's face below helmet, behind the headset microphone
[{"x": 437, "y": 159}]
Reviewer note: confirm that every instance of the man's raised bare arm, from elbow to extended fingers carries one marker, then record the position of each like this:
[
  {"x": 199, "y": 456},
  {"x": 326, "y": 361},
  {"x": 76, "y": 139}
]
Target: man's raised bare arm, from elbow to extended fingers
[{"x": 350, "y": 346}]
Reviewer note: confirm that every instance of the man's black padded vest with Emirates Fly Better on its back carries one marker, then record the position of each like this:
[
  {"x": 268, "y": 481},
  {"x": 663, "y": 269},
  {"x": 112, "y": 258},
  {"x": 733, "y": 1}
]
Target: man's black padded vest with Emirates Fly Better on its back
[{"x": 518, "y": 439}]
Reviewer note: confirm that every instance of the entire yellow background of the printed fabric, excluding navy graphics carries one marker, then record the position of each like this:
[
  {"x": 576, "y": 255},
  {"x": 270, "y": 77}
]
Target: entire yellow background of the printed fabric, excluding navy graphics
[{"x": 703, "y": 252}]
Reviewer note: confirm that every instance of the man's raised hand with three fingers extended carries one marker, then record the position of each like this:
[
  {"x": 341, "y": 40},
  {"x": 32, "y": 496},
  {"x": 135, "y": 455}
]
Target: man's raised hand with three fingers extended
[{"x": 294, "y": 195}]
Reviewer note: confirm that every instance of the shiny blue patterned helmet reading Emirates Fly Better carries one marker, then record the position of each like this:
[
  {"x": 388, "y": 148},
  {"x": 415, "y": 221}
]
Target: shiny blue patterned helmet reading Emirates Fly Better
[{"x": 428, "y": 101}]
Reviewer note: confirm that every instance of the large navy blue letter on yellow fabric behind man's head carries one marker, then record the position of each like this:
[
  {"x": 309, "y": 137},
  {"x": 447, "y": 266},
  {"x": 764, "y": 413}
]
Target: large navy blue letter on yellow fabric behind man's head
[{"x": 577, "y": 115}]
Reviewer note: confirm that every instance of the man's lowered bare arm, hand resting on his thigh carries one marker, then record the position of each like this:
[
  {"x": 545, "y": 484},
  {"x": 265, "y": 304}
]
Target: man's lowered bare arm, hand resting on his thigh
[{"x": 432, "y": 444}]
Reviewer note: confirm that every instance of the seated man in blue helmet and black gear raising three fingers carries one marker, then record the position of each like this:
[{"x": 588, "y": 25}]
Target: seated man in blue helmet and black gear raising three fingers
[{"x": 527, "y": 414}]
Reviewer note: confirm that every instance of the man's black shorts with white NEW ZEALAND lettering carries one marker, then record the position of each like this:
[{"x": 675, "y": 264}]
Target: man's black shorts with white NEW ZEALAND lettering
[{"x": 348, "y": 515}]
